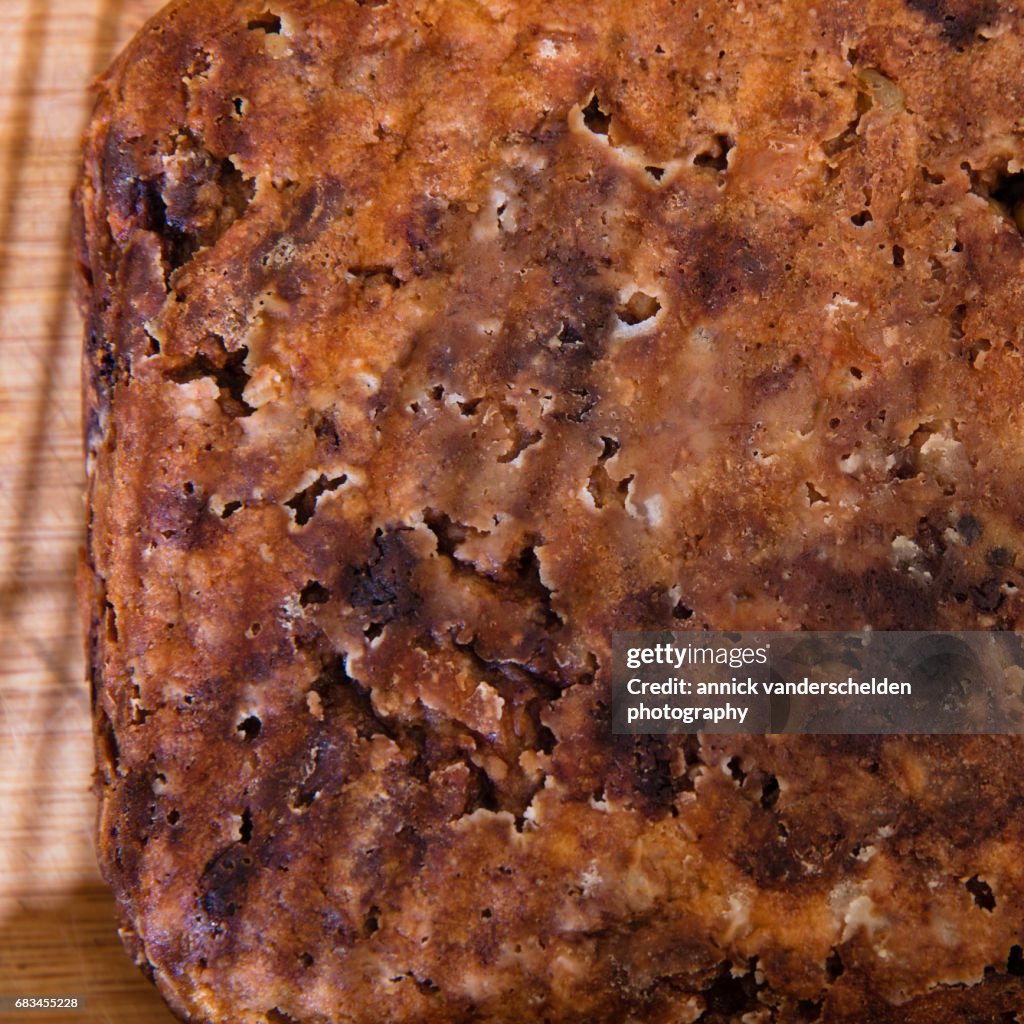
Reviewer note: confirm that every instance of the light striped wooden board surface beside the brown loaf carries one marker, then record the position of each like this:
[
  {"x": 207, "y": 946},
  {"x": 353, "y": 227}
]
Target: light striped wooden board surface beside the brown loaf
[{"x": 58, "y": 933}]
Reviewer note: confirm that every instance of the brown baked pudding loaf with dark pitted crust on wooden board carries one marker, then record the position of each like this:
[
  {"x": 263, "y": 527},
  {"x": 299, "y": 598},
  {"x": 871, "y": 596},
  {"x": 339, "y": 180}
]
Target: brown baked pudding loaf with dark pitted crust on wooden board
[{"x": 430, "y": 344}]
